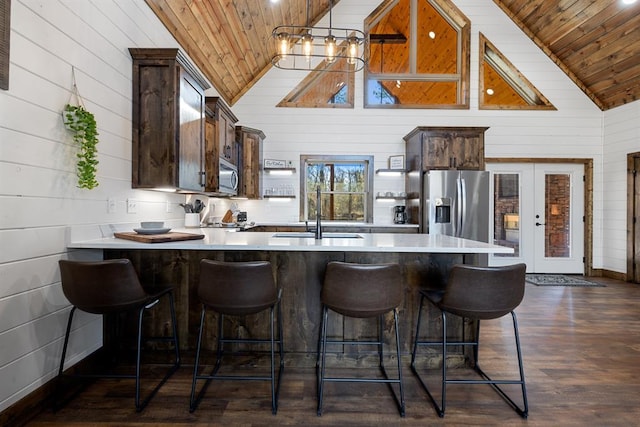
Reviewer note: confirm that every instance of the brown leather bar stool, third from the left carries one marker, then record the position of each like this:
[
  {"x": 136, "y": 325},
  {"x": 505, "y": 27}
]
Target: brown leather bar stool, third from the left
[{"x": 361, "y": 291}]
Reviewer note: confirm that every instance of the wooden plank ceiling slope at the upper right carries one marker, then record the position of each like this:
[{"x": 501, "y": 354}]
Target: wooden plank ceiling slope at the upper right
[{"x": 596, "y": 42}]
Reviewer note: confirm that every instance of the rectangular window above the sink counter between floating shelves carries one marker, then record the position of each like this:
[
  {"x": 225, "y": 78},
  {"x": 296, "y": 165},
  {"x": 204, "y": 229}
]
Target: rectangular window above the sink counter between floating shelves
[{"x": 345, "y": 184}]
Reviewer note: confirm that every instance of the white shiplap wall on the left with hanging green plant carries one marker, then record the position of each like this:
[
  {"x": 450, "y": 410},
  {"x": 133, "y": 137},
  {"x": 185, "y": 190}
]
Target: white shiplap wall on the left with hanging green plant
[{"x": 39, "y": 198}]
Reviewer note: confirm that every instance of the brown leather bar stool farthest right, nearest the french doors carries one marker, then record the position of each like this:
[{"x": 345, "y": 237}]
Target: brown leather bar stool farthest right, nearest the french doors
[{"x": 477, "y": 293}]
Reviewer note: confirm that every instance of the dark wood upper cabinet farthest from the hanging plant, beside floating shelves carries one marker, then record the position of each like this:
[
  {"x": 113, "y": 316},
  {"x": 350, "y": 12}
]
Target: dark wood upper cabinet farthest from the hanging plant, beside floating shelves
[{"x": 249, "y": 161}]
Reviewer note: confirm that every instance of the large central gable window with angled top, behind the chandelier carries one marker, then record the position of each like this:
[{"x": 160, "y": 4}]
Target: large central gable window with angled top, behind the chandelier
[{"x": 419, "y": 55}]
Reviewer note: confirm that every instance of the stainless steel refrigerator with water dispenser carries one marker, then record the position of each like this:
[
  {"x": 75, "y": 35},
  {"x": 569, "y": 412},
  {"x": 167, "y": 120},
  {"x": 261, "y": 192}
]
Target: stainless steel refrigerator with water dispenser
[{"x": 456, "y": 203}]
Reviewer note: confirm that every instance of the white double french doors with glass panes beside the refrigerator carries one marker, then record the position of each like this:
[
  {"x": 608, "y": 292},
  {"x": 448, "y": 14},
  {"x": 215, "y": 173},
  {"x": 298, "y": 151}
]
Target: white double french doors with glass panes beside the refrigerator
[{"x": 538, "y": 210}]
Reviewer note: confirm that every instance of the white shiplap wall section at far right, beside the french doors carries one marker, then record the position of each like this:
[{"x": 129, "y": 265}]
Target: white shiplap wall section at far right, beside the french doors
[{"x": 621, "y": 137}]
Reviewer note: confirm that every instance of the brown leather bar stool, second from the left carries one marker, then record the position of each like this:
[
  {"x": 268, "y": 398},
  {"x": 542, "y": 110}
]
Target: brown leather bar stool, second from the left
[{"x": 238, "y": 289}]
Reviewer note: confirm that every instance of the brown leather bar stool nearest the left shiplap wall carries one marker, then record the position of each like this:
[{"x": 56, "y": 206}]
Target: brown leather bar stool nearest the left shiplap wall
[{"x": 108, "y": 287}]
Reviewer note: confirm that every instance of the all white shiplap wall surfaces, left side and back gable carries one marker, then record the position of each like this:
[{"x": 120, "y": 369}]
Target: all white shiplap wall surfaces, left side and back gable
[{"x": 39, "y": 200}]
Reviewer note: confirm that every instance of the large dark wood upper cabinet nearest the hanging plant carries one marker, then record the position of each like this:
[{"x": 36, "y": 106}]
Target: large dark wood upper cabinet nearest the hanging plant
[{"x": 168, "y": 121}]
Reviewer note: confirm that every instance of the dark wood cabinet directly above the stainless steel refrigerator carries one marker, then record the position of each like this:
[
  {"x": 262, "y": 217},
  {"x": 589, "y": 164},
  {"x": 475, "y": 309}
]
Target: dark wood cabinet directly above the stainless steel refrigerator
[{"x": 445, "y": 148}]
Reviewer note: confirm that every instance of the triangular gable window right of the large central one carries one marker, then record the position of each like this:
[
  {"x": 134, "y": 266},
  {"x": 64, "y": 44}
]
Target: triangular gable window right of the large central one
[{"x": 502, "y": 86}]
